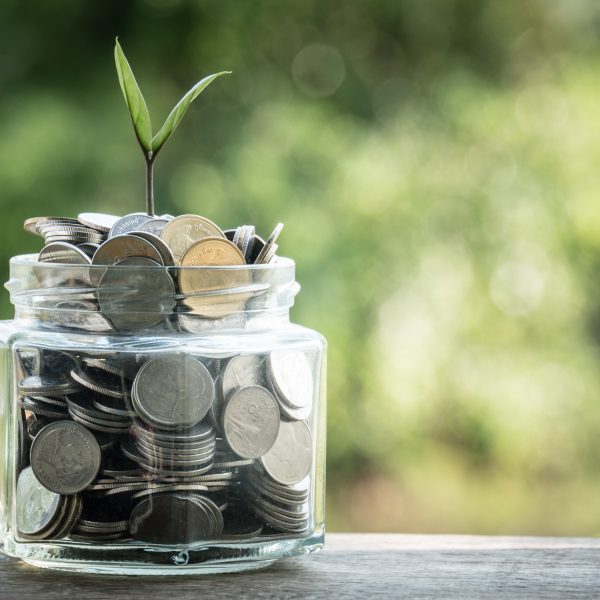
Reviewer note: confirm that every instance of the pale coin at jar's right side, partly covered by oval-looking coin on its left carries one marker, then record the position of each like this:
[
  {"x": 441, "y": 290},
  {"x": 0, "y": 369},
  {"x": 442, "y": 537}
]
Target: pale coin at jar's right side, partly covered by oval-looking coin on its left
[{"x": 290, "y": 458}]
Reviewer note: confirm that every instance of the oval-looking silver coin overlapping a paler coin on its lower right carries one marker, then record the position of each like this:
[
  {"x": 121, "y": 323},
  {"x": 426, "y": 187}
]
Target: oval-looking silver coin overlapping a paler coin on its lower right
[{"x": 251, "y": 421}]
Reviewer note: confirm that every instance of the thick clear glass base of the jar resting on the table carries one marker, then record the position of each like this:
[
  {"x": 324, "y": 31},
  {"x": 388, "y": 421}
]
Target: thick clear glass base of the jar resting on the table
[{"x": 126, "y": 559}]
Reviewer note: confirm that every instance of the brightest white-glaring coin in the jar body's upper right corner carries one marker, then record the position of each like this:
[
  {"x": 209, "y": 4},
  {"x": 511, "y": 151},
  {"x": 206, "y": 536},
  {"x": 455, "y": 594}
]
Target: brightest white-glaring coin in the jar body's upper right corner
[{"x": 291, "y": 375}]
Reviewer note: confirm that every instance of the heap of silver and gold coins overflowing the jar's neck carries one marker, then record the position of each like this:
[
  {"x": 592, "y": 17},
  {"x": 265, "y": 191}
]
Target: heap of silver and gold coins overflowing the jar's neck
[{"x": 142, "y": 296}]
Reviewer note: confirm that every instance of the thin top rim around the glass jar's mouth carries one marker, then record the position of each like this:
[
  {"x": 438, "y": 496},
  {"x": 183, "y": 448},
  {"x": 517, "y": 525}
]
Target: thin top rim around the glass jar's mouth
[{"x": 31, "y": 260}]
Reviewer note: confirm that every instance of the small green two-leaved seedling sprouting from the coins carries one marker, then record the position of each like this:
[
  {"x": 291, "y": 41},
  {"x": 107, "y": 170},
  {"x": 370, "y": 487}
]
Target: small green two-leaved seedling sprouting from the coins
[{"x": 140, "y": 117}]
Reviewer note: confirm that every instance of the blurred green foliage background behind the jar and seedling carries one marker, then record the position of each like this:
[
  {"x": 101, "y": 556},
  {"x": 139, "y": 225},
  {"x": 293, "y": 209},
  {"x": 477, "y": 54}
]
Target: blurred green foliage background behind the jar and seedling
[{"x": 436, "y": 164}]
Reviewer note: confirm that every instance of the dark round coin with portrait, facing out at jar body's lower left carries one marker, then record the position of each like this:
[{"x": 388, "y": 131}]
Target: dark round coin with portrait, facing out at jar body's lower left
[{"x": 65, "y": 457}]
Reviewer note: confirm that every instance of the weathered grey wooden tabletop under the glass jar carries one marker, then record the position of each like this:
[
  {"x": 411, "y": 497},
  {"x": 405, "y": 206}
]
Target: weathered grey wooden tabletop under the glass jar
[{"x": 357, "y": 566}]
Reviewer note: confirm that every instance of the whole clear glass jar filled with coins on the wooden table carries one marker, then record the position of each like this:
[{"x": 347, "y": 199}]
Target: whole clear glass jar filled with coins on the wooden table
[{"x": 148, "y": 431}]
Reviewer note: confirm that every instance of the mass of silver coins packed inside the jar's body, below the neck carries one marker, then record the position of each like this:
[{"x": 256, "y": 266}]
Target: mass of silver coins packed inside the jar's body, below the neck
[{"x": 167, "y": 447}]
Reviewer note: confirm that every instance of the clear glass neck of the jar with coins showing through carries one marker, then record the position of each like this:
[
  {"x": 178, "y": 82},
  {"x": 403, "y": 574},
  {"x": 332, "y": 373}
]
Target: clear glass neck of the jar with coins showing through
[{"x": 116, "y": 299}]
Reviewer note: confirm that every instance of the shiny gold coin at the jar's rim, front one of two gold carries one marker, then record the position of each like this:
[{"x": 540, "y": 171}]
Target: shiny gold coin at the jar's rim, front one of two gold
[{"x": 214, "y": 293}]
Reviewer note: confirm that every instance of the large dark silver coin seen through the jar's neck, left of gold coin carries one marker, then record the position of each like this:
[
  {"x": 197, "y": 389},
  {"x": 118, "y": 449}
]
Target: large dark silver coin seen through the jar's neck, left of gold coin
[{"x": 134, "y": 298}]
